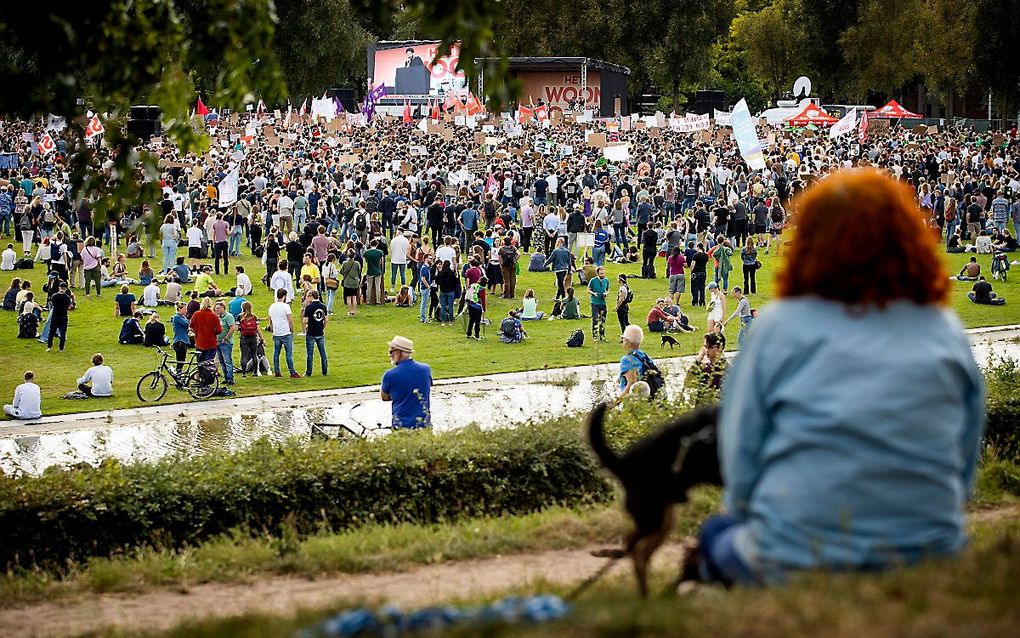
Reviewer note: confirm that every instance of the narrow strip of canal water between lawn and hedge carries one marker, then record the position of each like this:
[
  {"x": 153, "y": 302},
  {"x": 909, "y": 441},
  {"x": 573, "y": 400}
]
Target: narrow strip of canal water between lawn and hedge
[{"x": 490, "y": 402}]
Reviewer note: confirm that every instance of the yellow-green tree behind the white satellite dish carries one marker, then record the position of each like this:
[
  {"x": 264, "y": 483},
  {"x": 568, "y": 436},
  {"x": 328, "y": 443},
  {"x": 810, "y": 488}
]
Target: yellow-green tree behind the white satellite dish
[{"x": 771, "y": 38}]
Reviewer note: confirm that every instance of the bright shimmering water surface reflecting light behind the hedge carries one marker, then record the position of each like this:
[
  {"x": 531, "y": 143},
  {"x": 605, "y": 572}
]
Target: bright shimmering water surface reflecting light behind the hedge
[{"x": 495, "y": 402}]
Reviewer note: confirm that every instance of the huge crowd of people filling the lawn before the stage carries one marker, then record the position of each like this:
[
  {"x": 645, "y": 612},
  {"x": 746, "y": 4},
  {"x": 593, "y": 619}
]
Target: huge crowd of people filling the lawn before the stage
[{"x": 444, "y": 220}]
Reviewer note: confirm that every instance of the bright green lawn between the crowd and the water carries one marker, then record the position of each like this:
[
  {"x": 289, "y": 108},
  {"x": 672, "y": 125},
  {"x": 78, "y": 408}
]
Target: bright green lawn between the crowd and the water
[{"x": 358, "y": 346}]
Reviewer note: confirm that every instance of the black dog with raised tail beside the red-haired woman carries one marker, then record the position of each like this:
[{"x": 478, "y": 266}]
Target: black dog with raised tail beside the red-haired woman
[{"x": 656, "y": 473}]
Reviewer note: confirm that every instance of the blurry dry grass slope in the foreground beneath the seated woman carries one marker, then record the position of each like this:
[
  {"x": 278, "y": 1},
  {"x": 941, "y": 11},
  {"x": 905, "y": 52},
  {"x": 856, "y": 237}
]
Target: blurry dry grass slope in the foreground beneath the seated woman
[{"x": 975, "y": 595}]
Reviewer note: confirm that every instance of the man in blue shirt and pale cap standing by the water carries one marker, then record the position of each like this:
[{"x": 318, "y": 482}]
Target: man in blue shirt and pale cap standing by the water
[{"x": 409, "y": 384}]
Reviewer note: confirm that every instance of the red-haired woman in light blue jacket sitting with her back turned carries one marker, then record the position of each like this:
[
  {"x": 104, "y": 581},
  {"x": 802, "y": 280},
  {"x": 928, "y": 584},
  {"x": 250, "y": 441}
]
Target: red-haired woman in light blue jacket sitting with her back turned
[{"x": 851, "y": 421}]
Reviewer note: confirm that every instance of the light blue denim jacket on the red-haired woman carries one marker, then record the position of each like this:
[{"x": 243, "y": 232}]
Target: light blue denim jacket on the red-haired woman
[{"x": 849, "y": 441}]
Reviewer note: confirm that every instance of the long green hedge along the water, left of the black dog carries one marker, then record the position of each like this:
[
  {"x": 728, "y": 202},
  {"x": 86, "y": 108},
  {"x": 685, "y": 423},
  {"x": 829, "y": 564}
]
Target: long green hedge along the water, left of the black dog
[{"x": 66, "y": 516}]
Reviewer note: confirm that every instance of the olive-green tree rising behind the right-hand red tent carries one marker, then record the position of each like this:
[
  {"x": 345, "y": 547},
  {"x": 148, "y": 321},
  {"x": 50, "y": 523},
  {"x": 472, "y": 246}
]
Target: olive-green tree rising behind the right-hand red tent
[{"x": 881, "y": 47}]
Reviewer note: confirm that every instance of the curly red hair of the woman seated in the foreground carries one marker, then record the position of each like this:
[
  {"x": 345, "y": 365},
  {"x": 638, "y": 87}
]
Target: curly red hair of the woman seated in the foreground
[{"x": 861, "y": 239}]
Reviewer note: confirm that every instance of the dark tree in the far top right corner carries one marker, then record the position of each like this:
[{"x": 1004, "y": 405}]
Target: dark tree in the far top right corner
[{"x": 998, "y": 51}]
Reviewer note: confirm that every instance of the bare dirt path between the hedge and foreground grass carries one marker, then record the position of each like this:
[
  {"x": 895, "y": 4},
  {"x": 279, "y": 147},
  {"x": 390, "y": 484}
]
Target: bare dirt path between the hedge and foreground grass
[{"x": 423, "y": 586}]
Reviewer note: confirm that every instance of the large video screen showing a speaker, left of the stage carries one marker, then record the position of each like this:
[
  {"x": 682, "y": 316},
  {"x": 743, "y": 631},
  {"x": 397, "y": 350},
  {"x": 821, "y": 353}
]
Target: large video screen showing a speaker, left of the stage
[{"x": 407, "y": 69}]
